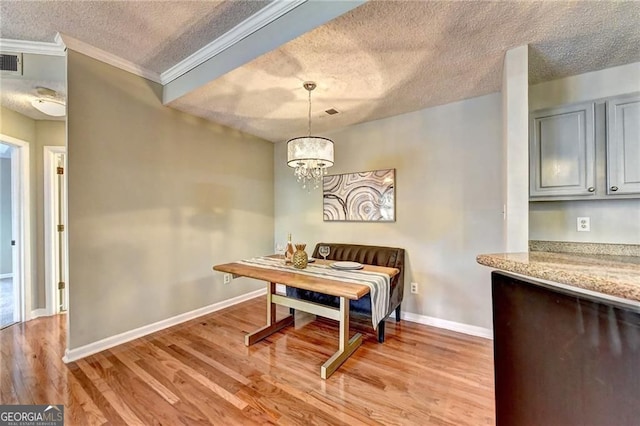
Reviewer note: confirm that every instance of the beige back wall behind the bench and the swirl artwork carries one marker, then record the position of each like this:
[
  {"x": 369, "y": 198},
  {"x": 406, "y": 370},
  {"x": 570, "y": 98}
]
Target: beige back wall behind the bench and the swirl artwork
[{"x": 449, "y": 198}]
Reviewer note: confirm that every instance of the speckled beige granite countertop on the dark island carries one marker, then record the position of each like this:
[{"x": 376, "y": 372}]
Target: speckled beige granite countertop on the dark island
[{"x": 613, "y": 275}]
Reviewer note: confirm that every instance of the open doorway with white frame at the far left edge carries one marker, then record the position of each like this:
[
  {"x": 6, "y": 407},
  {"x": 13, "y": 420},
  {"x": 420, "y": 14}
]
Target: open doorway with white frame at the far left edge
[{"x": 15, "y": 248}]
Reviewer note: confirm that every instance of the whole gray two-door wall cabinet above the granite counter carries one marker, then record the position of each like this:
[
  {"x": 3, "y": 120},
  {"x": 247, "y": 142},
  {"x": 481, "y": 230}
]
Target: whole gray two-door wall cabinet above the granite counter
[{"x": 586, "y": 151}]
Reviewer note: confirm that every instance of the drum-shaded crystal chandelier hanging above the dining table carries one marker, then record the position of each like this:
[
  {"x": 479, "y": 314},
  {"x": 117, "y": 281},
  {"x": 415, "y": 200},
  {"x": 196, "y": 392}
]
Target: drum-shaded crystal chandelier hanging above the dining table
[{"x": 310, "y": 156}]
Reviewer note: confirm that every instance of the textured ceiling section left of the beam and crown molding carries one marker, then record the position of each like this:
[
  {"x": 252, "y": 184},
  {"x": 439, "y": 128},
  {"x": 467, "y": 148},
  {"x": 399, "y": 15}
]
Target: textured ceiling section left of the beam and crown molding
[{"x": 153, "y": 34}]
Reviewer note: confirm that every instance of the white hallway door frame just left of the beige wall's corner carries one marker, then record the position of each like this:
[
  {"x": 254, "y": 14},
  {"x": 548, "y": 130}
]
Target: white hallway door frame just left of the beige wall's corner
[{"x": 50, "y": 228}]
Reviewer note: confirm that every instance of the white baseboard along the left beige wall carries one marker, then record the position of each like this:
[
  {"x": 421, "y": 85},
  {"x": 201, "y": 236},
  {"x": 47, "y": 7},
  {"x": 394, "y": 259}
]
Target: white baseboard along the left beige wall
[{"x": 109, "y": 342}]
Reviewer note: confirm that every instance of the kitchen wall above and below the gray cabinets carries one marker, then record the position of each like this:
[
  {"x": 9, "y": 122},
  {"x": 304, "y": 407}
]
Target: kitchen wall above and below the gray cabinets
[{"x": 612, "y": 221}]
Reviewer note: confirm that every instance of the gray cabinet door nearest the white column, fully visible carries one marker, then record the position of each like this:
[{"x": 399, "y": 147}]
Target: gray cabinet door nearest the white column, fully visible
[{"x": 562, "y": 152}]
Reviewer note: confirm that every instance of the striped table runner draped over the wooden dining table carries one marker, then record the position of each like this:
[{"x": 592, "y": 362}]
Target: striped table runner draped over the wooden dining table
[{"x": 379, "y": 284}]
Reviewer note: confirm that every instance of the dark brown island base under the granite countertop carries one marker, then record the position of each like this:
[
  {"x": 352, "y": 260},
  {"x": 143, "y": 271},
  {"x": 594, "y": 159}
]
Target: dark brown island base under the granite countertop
[{"x": 563, "y": 358}]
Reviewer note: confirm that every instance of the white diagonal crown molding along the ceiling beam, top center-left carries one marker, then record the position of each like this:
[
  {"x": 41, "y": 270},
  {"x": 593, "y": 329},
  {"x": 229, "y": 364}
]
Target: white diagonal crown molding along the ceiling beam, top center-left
[{"x": 263, "y": 17}]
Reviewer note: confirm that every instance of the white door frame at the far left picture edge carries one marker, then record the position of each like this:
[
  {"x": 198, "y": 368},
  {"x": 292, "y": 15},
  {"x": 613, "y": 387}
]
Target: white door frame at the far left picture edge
[{"x": 21, "y": 222}]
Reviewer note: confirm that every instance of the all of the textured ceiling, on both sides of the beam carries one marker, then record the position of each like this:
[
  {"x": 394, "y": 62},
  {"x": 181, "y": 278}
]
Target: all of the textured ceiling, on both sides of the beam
[{"x": 381, "y": 59}]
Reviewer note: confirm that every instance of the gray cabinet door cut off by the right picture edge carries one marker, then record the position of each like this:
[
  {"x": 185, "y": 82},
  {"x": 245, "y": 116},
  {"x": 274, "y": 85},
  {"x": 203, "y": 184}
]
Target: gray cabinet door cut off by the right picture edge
[{"x": 623, "y": 145}]
